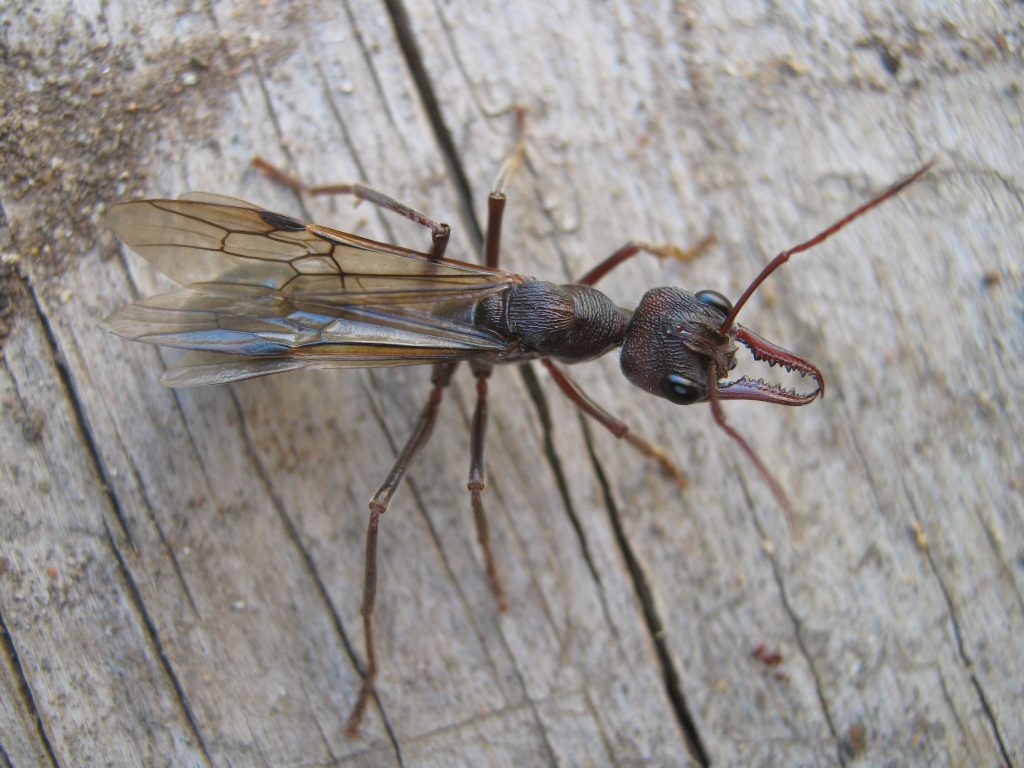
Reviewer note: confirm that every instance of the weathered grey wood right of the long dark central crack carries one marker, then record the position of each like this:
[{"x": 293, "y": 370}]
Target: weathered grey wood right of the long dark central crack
[{"x": 764, "y": 125}]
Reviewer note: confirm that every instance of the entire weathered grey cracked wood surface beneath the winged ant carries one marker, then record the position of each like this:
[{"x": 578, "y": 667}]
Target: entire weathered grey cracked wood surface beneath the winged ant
[{"x": 181, "y": 572}]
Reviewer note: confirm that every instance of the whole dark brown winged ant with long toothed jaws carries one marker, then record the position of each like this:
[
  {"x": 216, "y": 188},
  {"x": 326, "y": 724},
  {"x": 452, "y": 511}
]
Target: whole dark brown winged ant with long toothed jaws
[{"x": 265, "y": 293}]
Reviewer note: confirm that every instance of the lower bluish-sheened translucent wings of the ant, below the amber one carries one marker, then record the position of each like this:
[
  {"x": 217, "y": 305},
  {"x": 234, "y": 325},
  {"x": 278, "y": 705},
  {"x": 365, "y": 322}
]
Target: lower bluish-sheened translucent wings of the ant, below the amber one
[{"x": 247, "y": 331}]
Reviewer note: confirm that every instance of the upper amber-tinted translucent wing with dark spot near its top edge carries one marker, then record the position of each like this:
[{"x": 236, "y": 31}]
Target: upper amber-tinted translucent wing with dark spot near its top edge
[{"x": 206, "y": 238}]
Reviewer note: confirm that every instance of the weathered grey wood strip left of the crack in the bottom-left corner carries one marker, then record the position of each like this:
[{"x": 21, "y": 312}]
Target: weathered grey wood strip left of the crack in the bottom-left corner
[{"x": 79, "y": 646}]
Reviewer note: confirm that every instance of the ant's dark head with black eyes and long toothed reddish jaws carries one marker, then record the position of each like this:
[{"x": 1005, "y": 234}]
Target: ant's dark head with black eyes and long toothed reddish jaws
[{"x": 678, "y": 346}]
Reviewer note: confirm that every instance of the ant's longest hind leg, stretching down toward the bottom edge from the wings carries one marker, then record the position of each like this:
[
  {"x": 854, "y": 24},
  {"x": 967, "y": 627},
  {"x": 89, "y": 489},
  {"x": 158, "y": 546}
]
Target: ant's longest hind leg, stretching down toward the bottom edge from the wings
[{"x": 378, "y": 505}]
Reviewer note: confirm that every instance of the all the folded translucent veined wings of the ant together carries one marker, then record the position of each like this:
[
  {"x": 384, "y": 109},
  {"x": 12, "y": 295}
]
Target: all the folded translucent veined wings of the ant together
[{"x": 267, "y": 293}]
